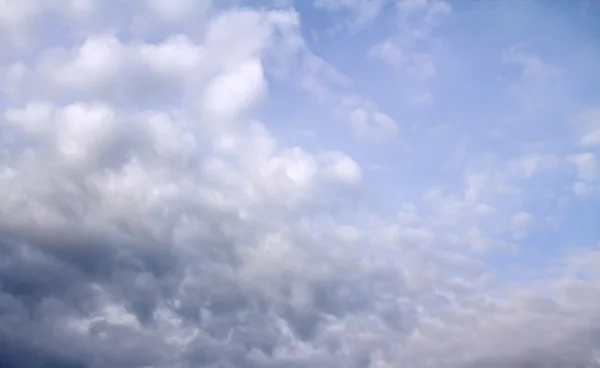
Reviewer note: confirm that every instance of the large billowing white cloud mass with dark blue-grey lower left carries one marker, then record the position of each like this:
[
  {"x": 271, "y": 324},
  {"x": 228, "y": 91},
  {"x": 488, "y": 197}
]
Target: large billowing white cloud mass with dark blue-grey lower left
[{"x": 151, "y": 216}]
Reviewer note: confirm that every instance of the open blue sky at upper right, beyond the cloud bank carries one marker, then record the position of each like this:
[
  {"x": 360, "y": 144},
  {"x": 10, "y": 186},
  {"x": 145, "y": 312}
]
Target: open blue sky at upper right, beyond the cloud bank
[{"x": 486, "y": 109}]
